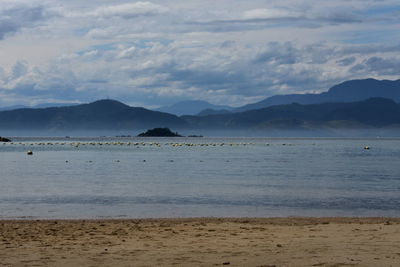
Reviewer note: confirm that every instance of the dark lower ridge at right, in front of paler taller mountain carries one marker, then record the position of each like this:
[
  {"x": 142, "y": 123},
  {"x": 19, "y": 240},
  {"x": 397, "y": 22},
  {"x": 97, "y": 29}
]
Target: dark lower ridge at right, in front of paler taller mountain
[{"x": 374, "y": 112}]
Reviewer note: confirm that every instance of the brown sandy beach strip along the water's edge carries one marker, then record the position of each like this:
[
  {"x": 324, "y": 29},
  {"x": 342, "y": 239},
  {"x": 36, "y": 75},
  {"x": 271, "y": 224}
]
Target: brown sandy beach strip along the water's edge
[{"x": 202, "y": 242}]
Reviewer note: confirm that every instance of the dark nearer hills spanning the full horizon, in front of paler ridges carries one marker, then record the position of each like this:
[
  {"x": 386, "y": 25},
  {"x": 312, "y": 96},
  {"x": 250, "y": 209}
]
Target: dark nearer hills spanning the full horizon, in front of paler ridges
[{"x": 114, "y": 115}]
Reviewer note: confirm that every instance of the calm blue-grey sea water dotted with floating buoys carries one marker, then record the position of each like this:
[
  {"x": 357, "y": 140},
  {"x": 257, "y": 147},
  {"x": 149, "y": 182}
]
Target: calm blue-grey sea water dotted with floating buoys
[{"x": 194, "y": 177}]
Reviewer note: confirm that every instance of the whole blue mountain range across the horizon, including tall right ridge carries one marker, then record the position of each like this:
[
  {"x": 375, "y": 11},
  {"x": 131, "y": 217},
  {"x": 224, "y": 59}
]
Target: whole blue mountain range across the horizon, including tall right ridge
[{"x": 347, "y": 105}]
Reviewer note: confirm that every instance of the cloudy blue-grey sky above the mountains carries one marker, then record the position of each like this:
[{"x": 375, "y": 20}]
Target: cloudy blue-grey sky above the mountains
[{"x": 155, "y": 53}]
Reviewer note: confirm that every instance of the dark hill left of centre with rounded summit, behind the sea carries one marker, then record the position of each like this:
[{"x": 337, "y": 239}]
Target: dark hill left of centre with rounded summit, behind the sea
[{"x": 102, "y": 114}]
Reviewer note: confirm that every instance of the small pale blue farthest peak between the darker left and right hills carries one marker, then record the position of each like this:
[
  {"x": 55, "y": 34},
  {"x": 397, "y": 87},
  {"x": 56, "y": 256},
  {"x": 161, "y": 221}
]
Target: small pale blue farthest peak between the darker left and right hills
[{"x": 191, "y": 107}]
